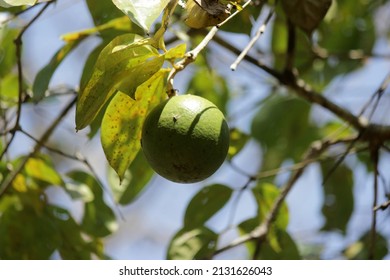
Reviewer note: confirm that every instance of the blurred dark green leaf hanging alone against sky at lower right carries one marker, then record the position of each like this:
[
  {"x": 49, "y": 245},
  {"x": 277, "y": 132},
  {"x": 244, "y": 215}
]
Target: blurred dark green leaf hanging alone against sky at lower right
[{"x": 338, "y": 196}]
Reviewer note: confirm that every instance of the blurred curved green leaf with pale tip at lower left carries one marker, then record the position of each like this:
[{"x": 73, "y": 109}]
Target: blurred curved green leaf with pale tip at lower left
[{"x": 99, "y": 220}]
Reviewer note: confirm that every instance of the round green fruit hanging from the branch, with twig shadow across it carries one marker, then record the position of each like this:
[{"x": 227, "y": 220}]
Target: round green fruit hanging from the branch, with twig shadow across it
[{"x": 185, "y": 138}]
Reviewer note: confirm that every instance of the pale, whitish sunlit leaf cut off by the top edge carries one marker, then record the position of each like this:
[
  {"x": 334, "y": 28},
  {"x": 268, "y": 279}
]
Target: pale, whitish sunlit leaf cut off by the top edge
[{"x": 143, "y": 13}]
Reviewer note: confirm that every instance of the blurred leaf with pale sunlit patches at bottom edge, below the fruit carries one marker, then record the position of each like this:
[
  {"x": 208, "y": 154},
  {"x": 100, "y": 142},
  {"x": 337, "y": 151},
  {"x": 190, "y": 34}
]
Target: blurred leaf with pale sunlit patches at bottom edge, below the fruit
[{"x": 195, "y": 244}]
